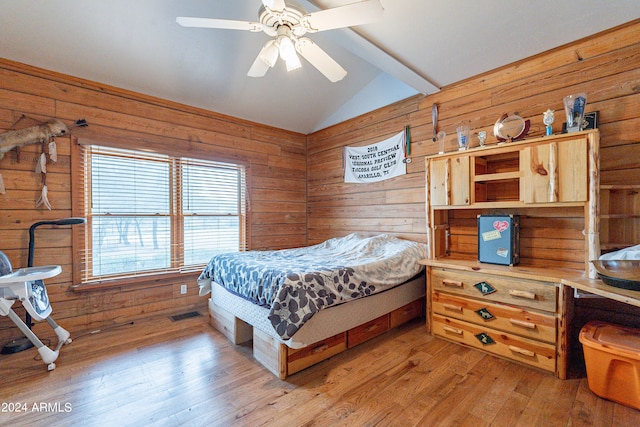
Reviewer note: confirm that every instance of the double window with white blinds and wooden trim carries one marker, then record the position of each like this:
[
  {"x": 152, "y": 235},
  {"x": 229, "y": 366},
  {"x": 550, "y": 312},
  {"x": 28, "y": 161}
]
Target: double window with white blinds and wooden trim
[{"x": 150, "y": 213}]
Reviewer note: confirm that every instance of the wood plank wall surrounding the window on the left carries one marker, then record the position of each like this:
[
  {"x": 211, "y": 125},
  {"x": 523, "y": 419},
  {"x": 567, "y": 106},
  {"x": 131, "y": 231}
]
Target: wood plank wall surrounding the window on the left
[{"x": 276, "y": 193}]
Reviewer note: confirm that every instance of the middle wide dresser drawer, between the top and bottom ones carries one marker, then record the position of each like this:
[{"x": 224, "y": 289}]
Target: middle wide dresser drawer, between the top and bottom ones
[{"x": 503, "y": 317}]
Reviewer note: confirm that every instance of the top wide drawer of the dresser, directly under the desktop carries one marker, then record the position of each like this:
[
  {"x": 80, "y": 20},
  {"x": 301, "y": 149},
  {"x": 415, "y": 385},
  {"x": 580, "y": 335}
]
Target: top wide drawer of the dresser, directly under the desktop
[{"x": 510, "y": 290}]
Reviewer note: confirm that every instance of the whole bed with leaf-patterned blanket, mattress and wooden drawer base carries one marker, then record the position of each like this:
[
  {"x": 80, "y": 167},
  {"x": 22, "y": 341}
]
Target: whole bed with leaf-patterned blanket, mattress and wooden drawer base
[{"x": 303, "y": 305}]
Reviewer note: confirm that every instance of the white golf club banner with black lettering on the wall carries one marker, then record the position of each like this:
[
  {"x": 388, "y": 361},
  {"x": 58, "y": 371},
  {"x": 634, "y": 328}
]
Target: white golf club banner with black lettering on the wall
[{"x": 376, "y": 162}]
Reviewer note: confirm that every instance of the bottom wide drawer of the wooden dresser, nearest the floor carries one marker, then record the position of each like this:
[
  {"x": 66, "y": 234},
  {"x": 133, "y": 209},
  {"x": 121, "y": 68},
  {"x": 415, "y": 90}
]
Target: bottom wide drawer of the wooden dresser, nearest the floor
[{"x": 530, "y": 352}]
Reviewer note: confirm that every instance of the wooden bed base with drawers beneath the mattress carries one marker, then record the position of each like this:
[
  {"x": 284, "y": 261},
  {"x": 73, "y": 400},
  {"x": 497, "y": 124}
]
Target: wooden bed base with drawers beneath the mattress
[{"x": 283, "y": 361}]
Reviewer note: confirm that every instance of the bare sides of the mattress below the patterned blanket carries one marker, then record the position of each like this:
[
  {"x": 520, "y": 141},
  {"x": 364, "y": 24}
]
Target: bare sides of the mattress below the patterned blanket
[{"x": 328, "y": 322}]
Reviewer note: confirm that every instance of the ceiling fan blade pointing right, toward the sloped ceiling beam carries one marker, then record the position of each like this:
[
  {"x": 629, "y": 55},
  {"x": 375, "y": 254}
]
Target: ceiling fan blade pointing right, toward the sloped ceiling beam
[{"x": 362, "y": 12}]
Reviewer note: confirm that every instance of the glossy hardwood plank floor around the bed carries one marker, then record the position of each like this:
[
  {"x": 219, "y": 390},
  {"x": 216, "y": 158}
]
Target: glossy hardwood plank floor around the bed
[{"x": 160, "y": 372}]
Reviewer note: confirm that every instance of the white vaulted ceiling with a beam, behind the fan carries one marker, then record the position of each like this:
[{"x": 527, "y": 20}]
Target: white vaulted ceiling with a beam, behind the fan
[{"x": 417, "y": 47}]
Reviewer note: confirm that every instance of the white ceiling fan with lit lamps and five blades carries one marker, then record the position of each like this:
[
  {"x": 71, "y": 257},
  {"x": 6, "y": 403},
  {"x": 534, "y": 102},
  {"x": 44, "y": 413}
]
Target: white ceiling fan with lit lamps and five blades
[{"x": 287, "y": 24}]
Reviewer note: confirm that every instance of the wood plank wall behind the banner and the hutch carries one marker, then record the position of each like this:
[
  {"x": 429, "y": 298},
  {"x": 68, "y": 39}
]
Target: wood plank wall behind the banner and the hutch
[{"x": 605, "y": 66}]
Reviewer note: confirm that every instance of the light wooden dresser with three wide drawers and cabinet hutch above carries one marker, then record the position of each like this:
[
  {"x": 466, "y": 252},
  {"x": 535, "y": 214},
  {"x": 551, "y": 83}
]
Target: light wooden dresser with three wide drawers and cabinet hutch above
[{"x": 518, "y": 312}]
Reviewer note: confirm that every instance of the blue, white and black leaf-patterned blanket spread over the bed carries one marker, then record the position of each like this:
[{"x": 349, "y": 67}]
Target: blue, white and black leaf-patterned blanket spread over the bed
[{"x": 296, "y": 283}]
